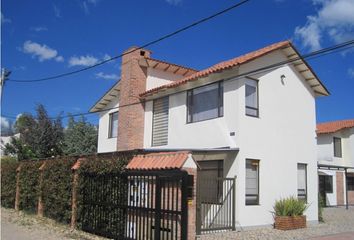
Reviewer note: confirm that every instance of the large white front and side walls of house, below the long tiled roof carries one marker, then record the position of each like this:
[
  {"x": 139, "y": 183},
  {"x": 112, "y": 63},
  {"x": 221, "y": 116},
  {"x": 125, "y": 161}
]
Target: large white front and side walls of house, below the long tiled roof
[{"x": 281, "y": 137}]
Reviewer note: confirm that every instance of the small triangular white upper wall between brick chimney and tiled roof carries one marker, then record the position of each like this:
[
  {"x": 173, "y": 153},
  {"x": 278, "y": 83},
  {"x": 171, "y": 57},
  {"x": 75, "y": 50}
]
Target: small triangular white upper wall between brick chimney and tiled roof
[{"x": 156, "y": 78}]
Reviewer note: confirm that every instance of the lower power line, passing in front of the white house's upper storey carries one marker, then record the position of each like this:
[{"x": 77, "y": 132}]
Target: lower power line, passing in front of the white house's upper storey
[{"x": 315, "y": 54}]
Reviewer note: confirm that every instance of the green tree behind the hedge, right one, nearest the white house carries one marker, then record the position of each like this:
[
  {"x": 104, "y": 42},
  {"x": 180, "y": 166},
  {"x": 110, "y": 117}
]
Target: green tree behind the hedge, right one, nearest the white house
[{"x": 80, "y": 137}]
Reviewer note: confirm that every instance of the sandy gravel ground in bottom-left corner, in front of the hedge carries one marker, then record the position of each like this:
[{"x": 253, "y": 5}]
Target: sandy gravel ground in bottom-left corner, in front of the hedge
[{"x": 20, "y": 226}]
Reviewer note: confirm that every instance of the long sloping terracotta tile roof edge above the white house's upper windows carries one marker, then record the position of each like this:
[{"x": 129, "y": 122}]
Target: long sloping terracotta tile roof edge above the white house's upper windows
[{"x": 221, "y": 66}]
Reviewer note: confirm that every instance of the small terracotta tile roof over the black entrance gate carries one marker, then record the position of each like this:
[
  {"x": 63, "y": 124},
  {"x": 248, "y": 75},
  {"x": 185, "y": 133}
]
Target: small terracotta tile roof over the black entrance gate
[{"x": 158, "y": 161}]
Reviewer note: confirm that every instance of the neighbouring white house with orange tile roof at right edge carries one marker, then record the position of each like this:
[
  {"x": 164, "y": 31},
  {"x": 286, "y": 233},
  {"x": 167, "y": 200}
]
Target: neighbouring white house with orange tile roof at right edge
[{"x": 335, "y": 143}]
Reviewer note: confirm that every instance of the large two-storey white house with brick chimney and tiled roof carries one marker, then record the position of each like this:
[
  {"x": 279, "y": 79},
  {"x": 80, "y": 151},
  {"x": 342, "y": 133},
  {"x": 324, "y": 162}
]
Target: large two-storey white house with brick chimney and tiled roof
[{"x": 257, "y": 126}]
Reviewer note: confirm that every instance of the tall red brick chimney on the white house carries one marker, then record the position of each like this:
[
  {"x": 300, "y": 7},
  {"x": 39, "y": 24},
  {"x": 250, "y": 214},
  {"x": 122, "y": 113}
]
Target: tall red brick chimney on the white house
[{"x": 131, "y": 117}]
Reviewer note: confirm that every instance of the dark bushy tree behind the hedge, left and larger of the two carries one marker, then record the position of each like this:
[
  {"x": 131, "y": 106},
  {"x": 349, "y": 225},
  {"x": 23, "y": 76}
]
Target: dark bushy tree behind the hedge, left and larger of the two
[{"x": 40, "y": 136}]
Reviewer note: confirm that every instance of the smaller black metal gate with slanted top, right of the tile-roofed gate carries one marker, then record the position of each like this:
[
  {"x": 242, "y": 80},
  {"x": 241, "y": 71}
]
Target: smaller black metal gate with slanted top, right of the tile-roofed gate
[{"x": 215, "y": 204}]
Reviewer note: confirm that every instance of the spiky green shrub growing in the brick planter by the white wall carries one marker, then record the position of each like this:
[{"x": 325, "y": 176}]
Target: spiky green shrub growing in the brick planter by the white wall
[{"x": 290, "y": 206}]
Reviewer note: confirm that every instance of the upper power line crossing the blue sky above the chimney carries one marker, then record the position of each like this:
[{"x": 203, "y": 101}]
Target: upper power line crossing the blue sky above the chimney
[{"x": 141, "y": 47}]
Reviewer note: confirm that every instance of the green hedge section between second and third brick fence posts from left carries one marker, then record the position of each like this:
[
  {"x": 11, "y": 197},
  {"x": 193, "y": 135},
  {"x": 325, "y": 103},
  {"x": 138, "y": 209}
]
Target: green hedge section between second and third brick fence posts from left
[{"x": 57, "y": 188}]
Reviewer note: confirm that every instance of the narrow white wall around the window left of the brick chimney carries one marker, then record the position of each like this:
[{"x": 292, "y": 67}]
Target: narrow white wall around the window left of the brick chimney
[{"x": 106, "y": 144}]
